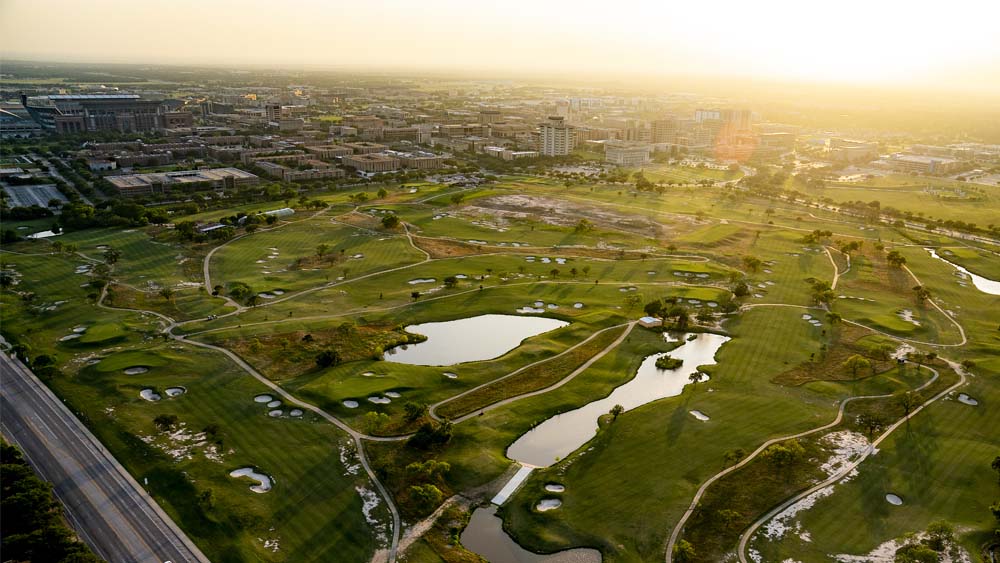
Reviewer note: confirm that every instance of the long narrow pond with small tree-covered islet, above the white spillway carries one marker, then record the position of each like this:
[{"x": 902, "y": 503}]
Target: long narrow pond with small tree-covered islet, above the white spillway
[{"x": 560, "y": 435}]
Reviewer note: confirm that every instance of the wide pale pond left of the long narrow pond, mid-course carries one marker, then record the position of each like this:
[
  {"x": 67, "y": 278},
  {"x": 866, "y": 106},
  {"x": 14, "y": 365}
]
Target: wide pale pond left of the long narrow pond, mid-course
[{"x": 469, "y": 340}]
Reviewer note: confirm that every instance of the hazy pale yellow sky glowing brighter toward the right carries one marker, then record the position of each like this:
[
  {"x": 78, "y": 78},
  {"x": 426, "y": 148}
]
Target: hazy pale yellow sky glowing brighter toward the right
[{"x": 878, "y": 41}]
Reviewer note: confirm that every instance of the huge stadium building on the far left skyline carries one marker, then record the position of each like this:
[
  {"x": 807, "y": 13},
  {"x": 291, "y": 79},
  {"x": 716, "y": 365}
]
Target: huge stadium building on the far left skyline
[{"x": 80, "y": 113}]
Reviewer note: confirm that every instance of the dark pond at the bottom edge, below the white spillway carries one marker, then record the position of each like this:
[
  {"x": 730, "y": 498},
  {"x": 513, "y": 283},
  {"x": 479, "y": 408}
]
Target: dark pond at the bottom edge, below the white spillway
[{"x": 484, "y": 535}]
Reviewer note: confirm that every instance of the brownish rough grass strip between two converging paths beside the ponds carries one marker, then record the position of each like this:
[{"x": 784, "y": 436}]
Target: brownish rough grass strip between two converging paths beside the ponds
[{"x": 531, "y": 379}]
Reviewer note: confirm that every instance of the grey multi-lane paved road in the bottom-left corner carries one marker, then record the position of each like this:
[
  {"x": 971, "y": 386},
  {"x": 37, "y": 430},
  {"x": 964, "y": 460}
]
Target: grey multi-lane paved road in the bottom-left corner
[{"x": 112, "y": 513}]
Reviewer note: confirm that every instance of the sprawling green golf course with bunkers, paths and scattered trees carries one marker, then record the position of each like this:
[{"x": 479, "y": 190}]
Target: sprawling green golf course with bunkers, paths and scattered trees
[{"x": 336, "y": 290}]
